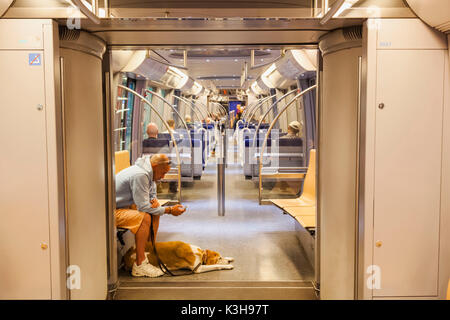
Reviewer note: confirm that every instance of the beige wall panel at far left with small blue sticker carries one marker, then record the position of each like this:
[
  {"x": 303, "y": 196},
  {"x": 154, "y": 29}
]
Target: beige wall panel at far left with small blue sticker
[{"x": 32, "y": 252}]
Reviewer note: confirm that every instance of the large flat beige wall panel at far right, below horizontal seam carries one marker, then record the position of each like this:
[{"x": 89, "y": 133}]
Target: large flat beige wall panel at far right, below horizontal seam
[{"x": 408, "y": 171}]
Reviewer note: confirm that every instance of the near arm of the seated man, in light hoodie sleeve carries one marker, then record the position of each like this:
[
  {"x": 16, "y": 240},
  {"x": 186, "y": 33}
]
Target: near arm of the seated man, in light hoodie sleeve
[{"x": 140, "y": 188}]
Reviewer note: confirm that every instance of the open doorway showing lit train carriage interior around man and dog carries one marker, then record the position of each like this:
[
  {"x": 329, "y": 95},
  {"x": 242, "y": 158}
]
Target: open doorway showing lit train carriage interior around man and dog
[{"x": 223, "y": 105}]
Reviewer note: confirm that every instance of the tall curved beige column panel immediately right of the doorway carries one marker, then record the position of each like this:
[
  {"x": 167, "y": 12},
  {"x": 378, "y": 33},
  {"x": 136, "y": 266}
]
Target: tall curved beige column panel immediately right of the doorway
[{"x": 337, "y": 173}]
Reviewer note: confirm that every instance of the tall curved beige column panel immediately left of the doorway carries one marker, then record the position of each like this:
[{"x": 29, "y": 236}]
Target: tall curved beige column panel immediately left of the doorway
[{"x": 85, "y": 162}]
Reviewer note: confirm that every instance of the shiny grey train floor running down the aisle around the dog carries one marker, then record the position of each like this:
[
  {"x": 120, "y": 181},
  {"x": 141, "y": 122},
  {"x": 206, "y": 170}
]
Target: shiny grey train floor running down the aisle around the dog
[{"x": 262, "y": 239}]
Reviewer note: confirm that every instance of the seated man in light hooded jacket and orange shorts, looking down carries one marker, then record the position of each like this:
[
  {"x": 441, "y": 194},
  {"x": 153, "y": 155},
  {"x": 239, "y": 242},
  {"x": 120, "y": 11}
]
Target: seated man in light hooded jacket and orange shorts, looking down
[{"x": 135, "y": 186}]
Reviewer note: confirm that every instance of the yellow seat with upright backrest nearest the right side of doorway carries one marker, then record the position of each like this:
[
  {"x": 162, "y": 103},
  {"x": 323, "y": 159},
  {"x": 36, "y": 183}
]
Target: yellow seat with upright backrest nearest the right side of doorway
[{"x": 308, "y": 197}]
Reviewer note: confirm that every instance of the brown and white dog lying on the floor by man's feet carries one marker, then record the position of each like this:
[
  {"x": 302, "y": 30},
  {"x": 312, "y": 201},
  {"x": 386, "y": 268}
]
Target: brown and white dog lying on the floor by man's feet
[{"x": 178, "y": 255}]
